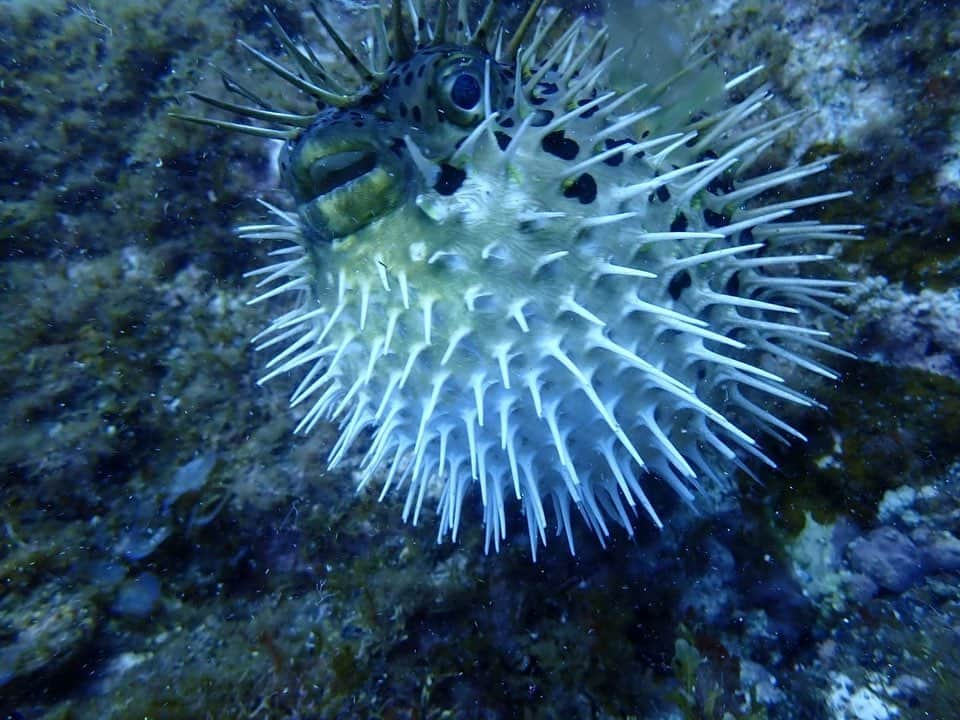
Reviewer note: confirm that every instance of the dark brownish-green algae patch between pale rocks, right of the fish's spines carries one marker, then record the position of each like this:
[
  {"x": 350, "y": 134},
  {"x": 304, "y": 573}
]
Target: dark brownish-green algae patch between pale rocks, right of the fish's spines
[{"x": 885, "y": 426}]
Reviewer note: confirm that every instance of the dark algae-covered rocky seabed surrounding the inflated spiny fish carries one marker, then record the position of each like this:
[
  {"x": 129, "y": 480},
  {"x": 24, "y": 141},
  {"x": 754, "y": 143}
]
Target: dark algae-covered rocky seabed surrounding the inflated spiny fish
[{"x": 169, "y": 550}]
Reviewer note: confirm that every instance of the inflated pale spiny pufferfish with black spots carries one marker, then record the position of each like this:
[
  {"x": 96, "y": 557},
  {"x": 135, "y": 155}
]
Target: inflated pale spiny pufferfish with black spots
[{"x": 509, "y": 284}]
